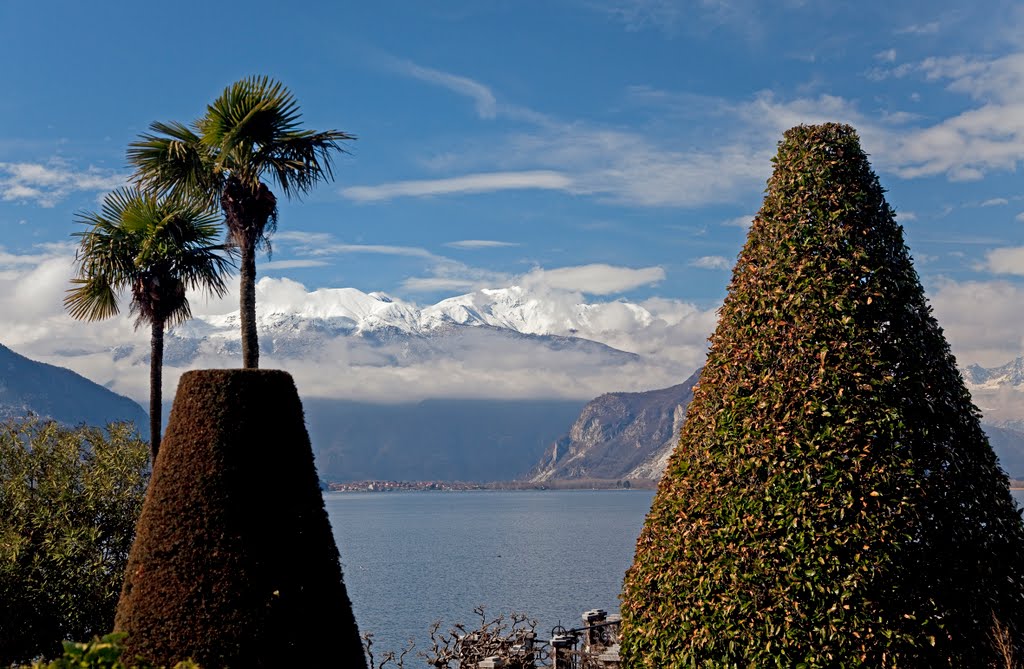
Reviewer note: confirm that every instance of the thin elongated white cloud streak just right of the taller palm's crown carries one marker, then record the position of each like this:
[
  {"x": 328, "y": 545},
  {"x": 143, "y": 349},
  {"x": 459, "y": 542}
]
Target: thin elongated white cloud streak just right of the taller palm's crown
[{"x": 470, "y": 184}]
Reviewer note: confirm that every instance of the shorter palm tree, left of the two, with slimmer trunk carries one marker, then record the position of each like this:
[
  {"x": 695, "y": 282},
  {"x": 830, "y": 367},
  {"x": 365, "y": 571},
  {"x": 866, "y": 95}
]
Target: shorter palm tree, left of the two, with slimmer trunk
[{"x": 156, "y": 247}]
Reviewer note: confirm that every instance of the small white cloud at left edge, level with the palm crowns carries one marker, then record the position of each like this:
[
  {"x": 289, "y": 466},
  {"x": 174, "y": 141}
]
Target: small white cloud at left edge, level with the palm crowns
[{"x": 49, "y": 185}]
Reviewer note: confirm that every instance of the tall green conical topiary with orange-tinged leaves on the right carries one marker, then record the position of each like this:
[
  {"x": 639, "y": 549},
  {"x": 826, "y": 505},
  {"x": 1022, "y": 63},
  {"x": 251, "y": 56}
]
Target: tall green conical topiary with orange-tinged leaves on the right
[{"x": 833, "y": 501}]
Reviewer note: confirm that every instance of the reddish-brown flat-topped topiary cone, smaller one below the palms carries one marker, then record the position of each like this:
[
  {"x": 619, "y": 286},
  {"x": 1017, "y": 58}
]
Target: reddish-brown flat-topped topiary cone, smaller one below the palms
[{"x": 235, "y": 563}]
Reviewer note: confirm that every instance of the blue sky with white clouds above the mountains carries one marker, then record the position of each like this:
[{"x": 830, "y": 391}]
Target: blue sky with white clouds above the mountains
[{"x": 499, "y": 140}]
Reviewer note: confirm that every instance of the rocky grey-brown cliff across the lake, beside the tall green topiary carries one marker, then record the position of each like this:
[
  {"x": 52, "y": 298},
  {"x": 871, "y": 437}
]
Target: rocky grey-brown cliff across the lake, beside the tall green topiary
[{"x": 620, "y": 436}]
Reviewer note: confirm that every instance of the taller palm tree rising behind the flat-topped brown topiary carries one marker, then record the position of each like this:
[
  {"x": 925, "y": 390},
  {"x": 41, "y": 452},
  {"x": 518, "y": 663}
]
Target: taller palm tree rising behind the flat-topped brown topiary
[{"x": 248, "y": 135}]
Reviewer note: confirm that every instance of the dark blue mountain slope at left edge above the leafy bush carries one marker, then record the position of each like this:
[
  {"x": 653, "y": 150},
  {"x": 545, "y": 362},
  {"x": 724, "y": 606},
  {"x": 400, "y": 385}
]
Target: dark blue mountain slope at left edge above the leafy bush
[{"x": 49, "y": 392}]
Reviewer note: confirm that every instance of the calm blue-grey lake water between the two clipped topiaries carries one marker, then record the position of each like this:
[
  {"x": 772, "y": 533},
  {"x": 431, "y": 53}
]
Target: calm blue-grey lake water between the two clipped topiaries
[{"x": 411, "y": 559}]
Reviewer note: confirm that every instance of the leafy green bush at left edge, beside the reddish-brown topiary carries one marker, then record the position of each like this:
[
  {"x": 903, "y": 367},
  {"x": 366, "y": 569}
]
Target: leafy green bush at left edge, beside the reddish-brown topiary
[{"x": 69, "y": 500}]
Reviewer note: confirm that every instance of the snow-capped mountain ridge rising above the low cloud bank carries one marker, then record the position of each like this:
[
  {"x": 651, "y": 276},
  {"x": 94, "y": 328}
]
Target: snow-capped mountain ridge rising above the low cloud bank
[{"x": 382, "y": 330}]
